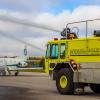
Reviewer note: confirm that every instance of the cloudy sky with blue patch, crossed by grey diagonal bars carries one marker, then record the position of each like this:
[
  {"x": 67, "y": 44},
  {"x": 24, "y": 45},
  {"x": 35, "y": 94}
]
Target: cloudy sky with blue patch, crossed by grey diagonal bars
[{"x": 54, "y": 13}]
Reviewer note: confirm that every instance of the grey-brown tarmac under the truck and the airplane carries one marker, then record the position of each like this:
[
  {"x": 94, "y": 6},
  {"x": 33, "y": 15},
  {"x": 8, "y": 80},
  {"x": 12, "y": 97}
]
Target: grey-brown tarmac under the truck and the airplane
[{"x": 36, "y": 86}]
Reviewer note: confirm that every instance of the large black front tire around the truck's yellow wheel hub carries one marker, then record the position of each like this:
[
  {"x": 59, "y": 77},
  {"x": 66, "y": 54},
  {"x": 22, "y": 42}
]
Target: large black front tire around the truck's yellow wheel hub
[{"x": 69, "y": 87}]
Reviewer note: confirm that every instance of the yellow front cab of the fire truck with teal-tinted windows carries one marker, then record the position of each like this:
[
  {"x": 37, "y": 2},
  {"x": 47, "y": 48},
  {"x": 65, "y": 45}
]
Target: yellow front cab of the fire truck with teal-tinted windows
[{"x": 55, "y": 53}]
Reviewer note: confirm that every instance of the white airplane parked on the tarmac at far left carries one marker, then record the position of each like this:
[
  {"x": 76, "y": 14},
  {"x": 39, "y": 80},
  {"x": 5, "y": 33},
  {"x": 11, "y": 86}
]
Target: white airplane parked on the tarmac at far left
[{"x": 7, "y": 65}]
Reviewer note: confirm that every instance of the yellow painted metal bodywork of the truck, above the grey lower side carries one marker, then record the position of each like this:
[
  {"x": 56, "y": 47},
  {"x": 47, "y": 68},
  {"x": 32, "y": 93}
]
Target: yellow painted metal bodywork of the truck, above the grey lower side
[{"x": 80, "y": 50}]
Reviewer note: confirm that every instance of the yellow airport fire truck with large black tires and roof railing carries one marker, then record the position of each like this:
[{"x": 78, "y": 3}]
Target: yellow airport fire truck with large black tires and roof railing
[{"x": 74, "y": 61}]
